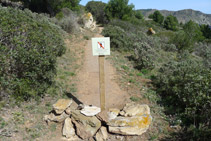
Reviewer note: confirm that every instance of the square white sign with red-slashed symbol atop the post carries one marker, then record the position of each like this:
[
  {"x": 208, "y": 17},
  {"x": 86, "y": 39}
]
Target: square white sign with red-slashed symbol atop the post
[{"x": 101, "y": 46}]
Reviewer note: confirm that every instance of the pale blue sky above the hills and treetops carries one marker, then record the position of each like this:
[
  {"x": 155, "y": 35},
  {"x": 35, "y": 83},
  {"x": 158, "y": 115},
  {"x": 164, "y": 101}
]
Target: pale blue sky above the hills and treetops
[{"x": 173, "y": 5}]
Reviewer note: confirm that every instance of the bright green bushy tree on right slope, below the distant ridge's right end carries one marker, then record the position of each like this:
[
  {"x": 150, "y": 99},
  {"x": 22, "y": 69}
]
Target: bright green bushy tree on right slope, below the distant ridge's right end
[{"x": 193, "y": 31}]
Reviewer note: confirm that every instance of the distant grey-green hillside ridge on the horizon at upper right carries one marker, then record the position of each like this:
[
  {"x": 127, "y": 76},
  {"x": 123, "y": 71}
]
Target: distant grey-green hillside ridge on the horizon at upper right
[{"x": 182, "y": 15}]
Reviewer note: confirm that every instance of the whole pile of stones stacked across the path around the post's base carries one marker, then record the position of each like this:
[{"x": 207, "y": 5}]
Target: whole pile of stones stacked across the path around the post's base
[{"x": 85, "y": 122}]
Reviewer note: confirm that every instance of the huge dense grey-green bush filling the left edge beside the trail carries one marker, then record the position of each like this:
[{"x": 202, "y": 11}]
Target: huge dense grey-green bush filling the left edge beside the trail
[{"x": 29, "y": 46}]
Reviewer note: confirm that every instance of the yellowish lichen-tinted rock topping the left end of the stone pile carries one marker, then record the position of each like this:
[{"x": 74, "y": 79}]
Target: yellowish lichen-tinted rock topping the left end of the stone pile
[{"x": 61, "y": 105}]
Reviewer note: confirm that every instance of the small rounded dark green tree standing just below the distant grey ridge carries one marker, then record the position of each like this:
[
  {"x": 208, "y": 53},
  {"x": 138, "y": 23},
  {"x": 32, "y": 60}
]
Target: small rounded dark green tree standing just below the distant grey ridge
[{"x": 171, "y": 23}]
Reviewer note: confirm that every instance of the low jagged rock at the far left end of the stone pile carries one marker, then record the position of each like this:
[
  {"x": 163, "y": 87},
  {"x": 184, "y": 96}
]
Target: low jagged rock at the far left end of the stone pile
[{"x": 55, "y": 118}]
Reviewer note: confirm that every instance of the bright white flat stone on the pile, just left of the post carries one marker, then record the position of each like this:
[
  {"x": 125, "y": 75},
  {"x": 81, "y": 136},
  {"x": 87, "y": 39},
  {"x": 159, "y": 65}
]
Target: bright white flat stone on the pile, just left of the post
[{"x": 90, "y": 110}]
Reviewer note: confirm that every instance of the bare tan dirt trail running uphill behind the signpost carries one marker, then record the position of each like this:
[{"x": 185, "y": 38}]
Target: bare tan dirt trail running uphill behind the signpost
[{"x": 88, "y": 84}]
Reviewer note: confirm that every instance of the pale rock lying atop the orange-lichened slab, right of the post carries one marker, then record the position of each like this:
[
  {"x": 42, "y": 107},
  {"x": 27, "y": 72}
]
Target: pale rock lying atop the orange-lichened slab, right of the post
[{"x": 133, "y": 109}]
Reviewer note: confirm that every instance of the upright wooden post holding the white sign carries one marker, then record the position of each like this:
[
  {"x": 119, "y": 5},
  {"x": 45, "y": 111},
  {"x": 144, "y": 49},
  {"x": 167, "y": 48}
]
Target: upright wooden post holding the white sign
[{"x": 102, "y": 82}]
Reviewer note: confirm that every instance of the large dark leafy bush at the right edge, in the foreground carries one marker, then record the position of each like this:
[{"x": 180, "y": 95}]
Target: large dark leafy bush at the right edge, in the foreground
[{"x": 185, "y": 89}]
